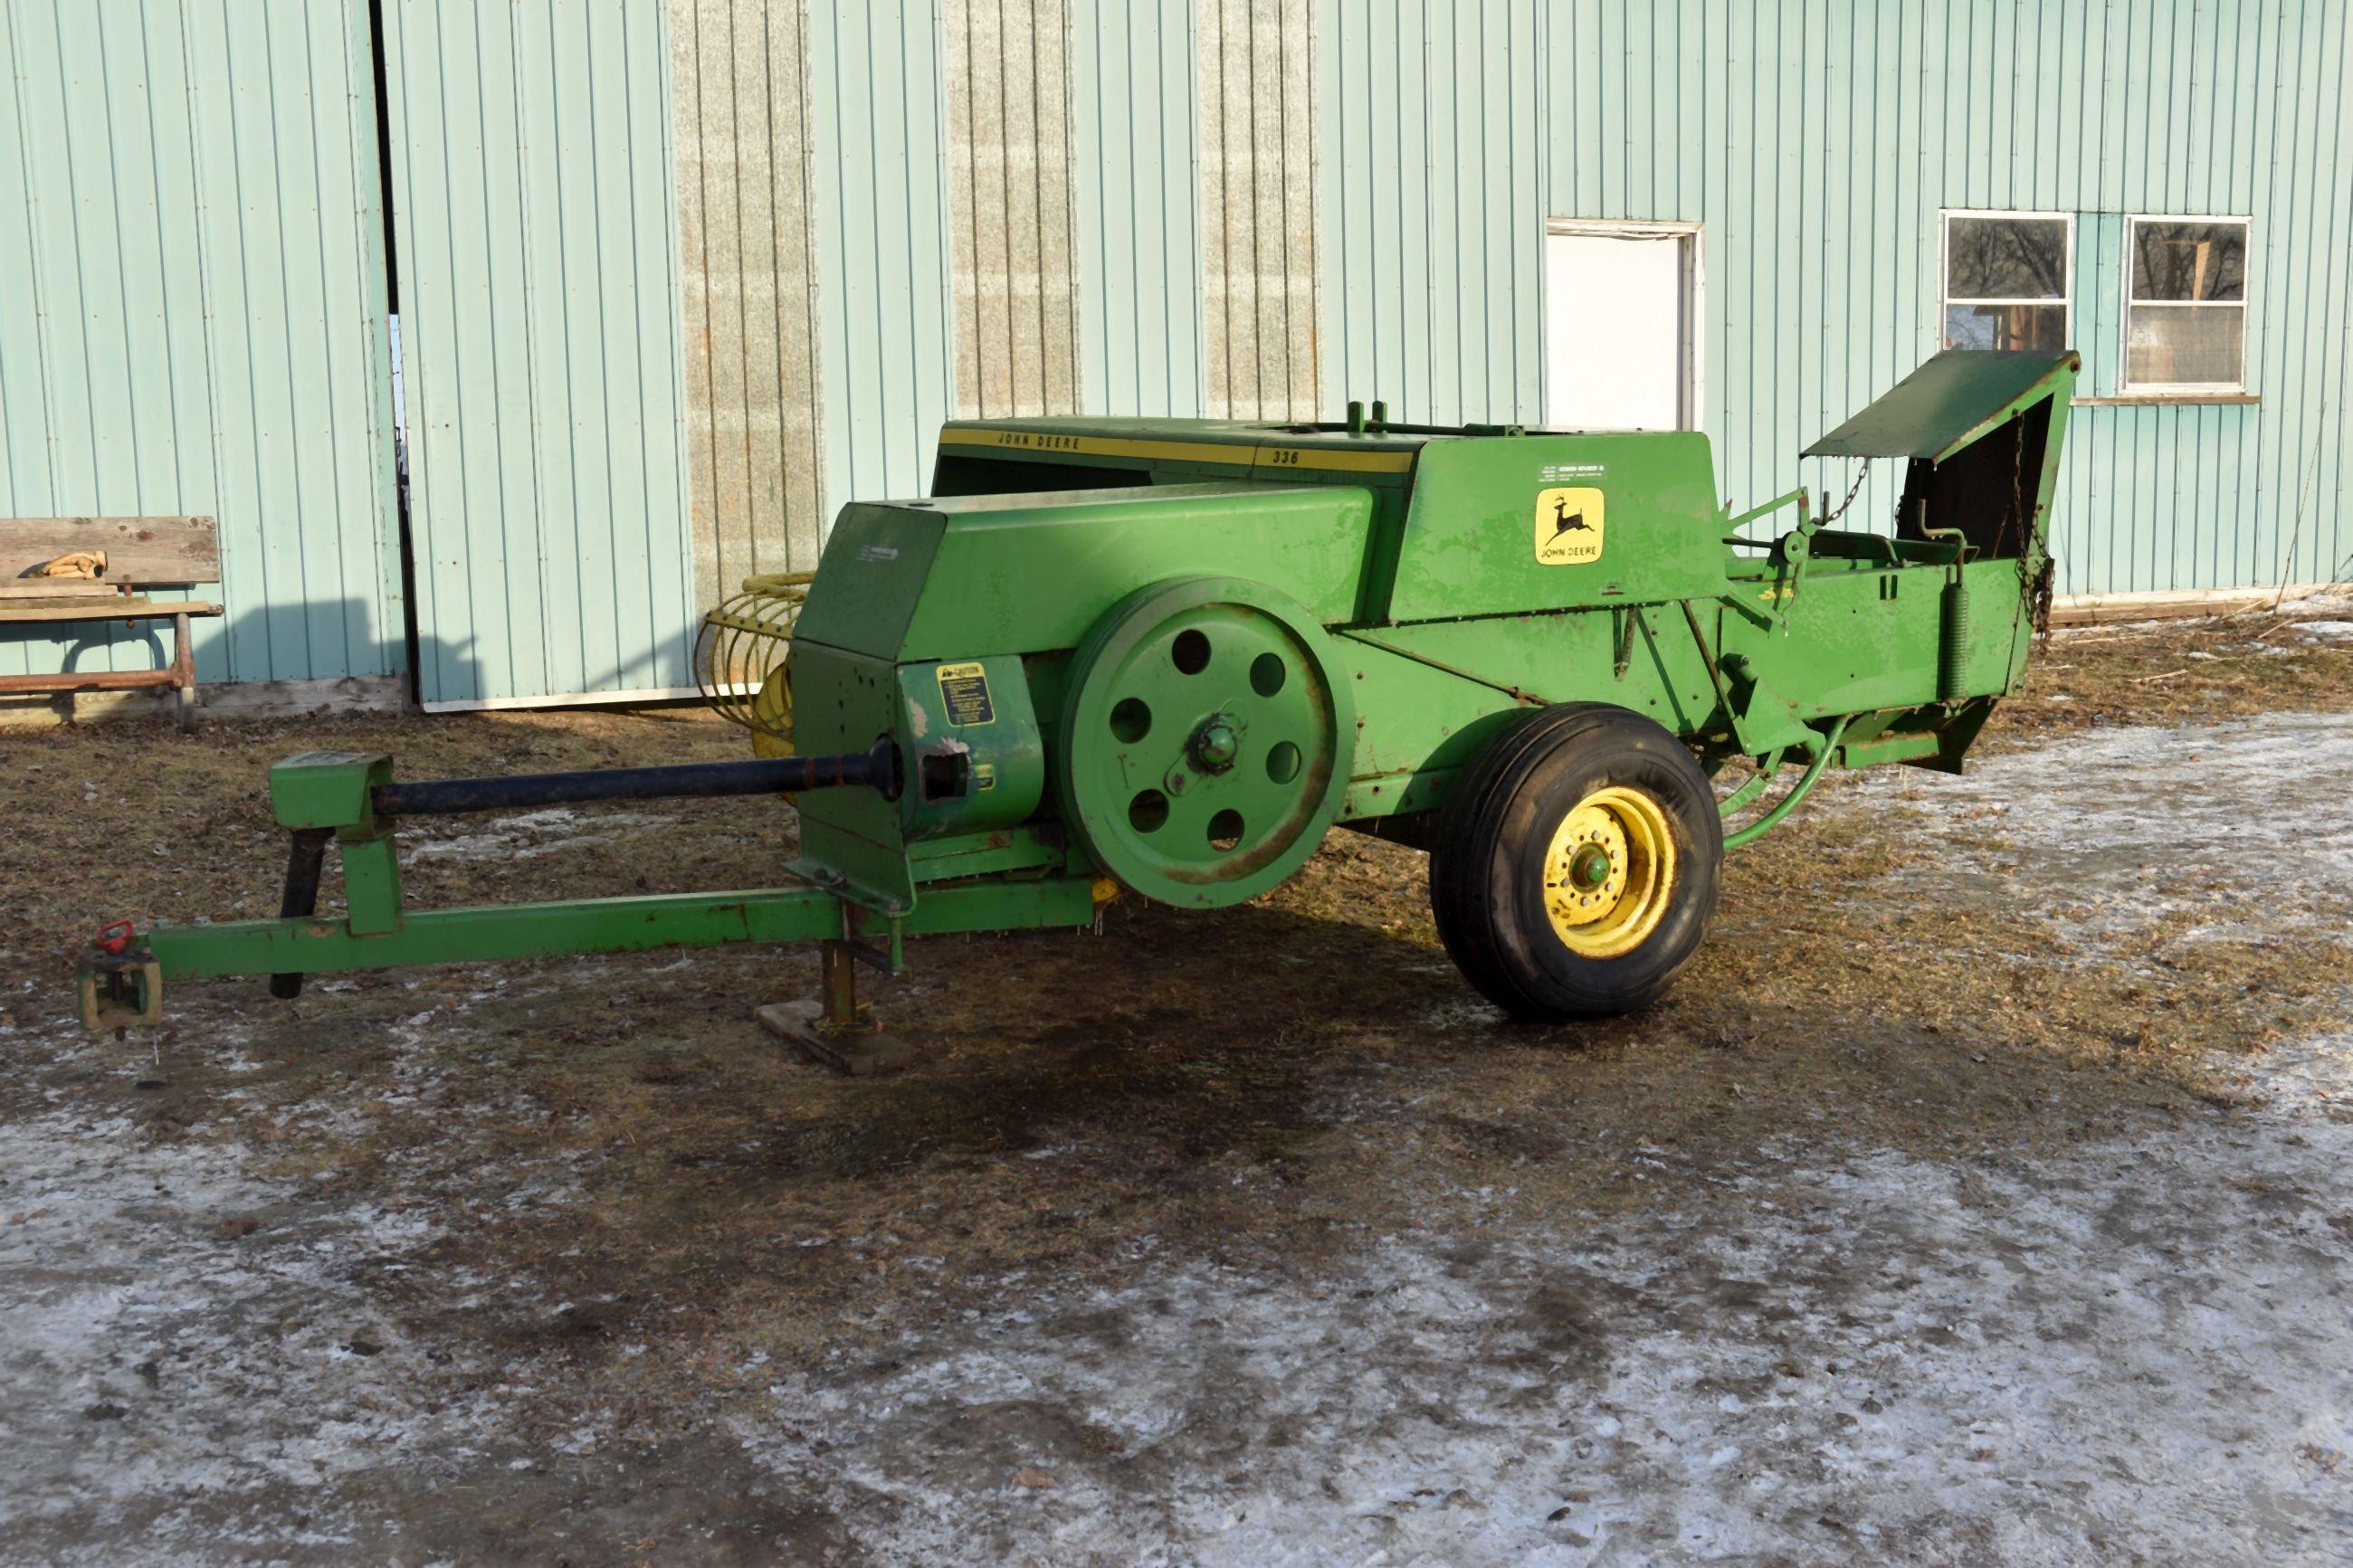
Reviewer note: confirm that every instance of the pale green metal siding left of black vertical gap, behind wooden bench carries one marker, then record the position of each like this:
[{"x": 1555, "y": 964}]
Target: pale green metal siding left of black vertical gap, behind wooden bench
[{"x": 194, "y": 316}]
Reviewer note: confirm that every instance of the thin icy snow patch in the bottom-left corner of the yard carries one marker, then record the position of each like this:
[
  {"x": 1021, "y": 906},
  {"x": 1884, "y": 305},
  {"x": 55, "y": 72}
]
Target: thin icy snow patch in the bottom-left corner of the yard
[{"x": 192, "y": 1358}]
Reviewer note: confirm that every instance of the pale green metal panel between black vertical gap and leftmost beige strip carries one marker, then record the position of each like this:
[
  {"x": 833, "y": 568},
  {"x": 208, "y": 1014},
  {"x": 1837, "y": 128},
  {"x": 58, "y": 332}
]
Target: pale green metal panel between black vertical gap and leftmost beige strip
[{"x": 540, "y": 309}]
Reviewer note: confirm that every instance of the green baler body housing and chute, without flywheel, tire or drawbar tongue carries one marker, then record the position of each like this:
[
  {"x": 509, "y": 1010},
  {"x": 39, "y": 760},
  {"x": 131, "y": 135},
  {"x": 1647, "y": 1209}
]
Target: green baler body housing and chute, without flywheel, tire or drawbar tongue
[{"x": 1425, "y": 558}]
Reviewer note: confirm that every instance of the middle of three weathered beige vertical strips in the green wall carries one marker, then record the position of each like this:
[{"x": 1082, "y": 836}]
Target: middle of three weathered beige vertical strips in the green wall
[{"x": 1011, "y": 206}]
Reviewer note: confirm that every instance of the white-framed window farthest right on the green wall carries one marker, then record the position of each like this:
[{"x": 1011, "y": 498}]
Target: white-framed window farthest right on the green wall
[{"x": 2185, "y": 304}]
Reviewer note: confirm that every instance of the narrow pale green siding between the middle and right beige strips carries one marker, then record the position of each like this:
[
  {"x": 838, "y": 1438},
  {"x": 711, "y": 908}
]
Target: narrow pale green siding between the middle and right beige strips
[{"x": 1140, "y": 257}]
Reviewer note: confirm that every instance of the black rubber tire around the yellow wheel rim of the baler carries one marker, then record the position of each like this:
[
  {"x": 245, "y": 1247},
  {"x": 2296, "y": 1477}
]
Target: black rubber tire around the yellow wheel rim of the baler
[{"x": 1498, "y": 826}]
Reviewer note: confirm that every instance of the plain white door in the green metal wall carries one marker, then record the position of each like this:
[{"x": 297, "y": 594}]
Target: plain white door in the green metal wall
[{"x": 1620, "y": 311}]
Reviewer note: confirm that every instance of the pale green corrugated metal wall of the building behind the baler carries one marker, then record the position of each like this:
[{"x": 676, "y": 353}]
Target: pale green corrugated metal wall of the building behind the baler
[{"x": 192, "y": 316}]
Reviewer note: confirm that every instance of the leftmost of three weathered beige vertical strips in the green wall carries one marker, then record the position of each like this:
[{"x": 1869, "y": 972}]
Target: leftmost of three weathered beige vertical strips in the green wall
[{"x": 745, "y": 180}]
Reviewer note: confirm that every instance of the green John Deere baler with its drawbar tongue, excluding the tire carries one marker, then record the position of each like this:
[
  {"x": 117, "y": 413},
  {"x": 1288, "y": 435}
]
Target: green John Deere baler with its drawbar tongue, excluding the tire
[{"x": 1446, "y": 582}]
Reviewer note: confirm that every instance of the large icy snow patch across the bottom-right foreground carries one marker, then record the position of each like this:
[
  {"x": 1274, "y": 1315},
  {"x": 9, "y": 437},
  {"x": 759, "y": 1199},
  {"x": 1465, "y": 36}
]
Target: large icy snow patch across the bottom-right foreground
[{"x": 2140, "y": 1351}]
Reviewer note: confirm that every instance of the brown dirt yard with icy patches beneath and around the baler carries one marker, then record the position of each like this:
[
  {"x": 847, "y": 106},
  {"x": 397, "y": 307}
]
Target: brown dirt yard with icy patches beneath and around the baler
[{"x": 1980, "y": 1195}]
